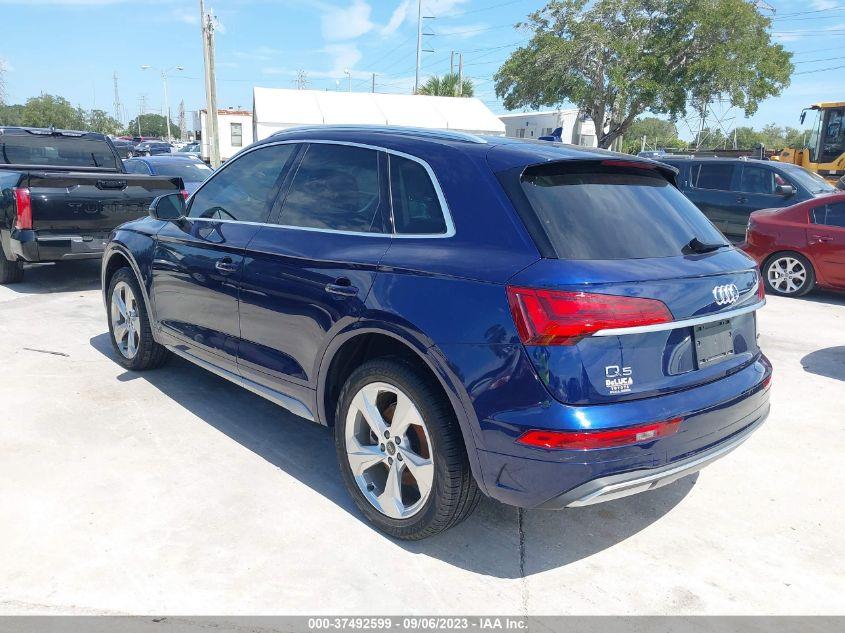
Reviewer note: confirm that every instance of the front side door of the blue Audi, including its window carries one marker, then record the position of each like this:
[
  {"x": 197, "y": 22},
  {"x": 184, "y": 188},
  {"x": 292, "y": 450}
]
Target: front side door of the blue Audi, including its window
[{"x": 198, "y": 262}]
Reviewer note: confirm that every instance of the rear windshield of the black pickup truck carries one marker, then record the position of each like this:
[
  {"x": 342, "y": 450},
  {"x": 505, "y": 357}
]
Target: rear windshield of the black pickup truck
[{"x": 61, "y": 151}]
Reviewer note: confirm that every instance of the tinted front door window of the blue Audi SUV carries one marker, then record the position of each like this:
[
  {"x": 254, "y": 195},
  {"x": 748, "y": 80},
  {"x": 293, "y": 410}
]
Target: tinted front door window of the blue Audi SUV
[{"x": 243, "y": 190}]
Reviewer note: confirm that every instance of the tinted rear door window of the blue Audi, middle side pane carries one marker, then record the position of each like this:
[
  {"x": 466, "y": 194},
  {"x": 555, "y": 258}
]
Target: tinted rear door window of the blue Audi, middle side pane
[{"x": 336, "y": 187}]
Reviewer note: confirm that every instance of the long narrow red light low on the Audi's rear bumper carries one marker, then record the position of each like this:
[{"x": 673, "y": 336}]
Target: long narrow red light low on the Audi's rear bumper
[{"x": 609, "y": 438}]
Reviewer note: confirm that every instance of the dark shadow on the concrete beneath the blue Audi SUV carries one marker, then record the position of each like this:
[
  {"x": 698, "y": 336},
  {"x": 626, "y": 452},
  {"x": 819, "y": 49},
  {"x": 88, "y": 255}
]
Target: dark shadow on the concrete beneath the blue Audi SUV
[{"x": 497, "y": 540}]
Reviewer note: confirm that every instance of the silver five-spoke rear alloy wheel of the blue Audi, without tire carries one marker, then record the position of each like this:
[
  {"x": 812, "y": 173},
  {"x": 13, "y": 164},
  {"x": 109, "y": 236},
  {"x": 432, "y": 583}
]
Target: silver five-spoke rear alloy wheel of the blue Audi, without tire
[{"x": 389, "y": 450}]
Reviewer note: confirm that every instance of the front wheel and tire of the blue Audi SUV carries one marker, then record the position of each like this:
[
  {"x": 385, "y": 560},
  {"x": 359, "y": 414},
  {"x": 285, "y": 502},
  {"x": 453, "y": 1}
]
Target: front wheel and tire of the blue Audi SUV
[{"x": 129, "y": 324}]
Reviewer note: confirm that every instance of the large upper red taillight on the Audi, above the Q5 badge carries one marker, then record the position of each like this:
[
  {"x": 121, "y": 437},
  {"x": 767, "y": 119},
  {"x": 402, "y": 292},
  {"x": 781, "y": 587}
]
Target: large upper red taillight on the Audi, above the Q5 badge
[{"x": 552, "y": 317}]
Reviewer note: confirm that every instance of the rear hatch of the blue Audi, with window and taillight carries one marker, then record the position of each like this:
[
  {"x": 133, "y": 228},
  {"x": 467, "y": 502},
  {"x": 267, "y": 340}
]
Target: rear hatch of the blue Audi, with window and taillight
[{"x": 637, "y": 295}]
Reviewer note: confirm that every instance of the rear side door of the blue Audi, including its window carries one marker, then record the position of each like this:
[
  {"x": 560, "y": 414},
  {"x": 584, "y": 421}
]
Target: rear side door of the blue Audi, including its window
[{"x": 308, "y": 272}]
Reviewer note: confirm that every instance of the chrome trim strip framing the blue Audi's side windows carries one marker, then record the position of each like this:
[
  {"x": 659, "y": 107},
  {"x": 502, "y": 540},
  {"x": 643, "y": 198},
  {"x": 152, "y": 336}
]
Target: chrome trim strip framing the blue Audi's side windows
[{"x": 447, "y": 214}]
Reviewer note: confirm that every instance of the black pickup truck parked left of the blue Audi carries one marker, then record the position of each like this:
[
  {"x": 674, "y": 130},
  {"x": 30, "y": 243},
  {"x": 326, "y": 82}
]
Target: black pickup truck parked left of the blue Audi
[{"x": 61, "y": 194}]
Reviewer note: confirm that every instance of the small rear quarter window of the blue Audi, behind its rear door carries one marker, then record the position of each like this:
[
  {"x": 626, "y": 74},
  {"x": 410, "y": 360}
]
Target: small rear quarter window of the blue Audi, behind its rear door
[{"x": 416, "y": 206}]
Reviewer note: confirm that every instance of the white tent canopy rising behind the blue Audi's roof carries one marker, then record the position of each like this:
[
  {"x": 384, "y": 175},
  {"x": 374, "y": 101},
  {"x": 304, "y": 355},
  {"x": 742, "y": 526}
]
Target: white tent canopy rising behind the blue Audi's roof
[{"x": 277, "y": 109}]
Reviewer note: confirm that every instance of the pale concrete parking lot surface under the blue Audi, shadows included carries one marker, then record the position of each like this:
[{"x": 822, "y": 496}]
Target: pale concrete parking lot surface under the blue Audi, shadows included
[{"x": 177, "y": 492}]
